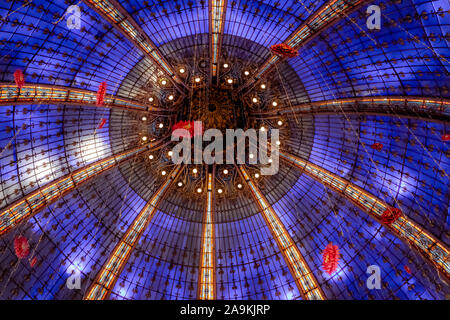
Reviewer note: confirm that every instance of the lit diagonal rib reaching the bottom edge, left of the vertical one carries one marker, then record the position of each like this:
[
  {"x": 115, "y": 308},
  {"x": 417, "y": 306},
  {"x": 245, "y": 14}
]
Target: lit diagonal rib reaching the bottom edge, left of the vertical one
[{"x": 104, "y": 282}]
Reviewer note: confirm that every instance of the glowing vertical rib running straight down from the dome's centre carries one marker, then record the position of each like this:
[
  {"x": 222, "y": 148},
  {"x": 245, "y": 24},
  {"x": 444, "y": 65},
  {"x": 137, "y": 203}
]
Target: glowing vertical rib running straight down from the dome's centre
[{"x": 207, "y": 279}]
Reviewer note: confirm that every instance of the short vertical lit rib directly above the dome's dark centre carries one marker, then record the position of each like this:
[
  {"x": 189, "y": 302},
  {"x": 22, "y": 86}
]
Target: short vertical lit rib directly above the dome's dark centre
[{"x": 217, "y": 14}]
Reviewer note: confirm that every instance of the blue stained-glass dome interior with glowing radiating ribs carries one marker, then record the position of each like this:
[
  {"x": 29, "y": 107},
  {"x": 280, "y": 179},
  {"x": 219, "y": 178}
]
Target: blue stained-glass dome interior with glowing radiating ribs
[{"x": 363, "y": 118}]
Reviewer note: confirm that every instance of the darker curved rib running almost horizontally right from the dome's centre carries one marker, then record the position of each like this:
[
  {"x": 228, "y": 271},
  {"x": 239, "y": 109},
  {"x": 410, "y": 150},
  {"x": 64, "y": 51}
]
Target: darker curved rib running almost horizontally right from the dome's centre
[{"x": 427, "y": 107}]
